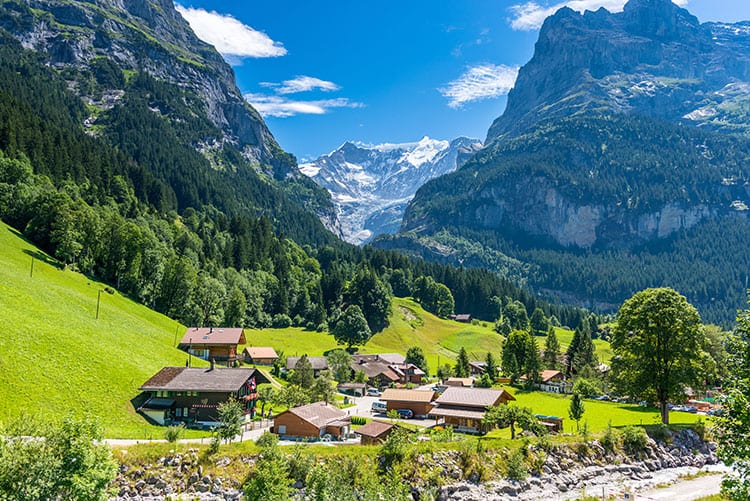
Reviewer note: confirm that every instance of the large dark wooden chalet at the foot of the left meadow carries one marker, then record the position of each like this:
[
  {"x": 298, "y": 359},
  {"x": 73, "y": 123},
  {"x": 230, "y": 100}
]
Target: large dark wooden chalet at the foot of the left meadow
[{"x": 192, "y": 395}]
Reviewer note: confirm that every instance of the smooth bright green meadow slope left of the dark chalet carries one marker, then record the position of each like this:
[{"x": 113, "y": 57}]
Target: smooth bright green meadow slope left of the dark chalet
[{"x": 56, "y": 358}]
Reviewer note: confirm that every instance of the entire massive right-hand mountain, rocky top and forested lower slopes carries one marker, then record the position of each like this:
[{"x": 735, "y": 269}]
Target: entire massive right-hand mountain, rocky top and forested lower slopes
[{"x": 596, "y": 181}]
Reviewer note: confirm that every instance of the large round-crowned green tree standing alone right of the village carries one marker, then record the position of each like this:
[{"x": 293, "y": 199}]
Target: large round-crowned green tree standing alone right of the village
[{"x": 658, "y": 347}]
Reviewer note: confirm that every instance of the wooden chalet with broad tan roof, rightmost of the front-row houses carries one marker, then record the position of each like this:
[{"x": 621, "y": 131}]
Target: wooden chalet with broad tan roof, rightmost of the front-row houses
[{"x": 464, "y": 408}]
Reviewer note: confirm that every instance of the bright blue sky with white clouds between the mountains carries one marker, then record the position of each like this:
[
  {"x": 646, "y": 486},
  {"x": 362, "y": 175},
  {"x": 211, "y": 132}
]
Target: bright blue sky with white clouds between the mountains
[{"x": 325, "y": 72}]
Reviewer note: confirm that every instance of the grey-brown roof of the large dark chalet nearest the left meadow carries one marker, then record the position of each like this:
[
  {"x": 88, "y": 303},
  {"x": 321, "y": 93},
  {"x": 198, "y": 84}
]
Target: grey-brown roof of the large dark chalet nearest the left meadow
[{"x": 201, "y": 379}]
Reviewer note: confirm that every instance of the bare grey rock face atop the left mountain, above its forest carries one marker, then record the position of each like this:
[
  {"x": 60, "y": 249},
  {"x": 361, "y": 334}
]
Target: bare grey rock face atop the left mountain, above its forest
[{"x": 151, "y": 36}]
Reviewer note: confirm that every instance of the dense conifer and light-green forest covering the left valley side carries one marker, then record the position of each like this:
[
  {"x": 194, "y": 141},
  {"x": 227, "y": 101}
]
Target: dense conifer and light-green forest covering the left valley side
[{"x": 123, "y": 194}]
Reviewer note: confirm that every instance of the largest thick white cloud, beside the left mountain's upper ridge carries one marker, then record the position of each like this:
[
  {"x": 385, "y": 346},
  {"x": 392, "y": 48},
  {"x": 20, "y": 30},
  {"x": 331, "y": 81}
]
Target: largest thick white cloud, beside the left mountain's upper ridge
[{"x": 230, "y": 37}]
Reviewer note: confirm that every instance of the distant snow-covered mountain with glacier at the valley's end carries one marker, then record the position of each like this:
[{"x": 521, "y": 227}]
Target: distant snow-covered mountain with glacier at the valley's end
[{"x": 371, "y": 185}]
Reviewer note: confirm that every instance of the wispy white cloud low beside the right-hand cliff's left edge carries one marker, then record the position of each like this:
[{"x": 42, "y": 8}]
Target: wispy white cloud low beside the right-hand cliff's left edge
[{"x": 480, "y": 82}]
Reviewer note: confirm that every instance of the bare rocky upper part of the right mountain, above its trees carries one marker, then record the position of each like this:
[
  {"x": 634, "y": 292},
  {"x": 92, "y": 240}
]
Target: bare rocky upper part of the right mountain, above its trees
[{"x": 654, "y": 58}]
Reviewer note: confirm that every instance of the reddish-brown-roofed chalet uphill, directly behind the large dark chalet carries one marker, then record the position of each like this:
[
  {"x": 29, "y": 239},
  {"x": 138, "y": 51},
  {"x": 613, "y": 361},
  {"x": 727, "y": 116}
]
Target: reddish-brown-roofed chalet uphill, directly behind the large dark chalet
[{"x": 213, "y": 343}]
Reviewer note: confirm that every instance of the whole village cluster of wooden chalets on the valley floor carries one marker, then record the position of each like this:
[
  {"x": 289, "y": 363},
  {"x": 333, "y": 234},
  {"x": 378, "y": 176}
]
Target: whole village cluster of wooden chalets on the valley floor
[{"x": 375, "y": 394}]
